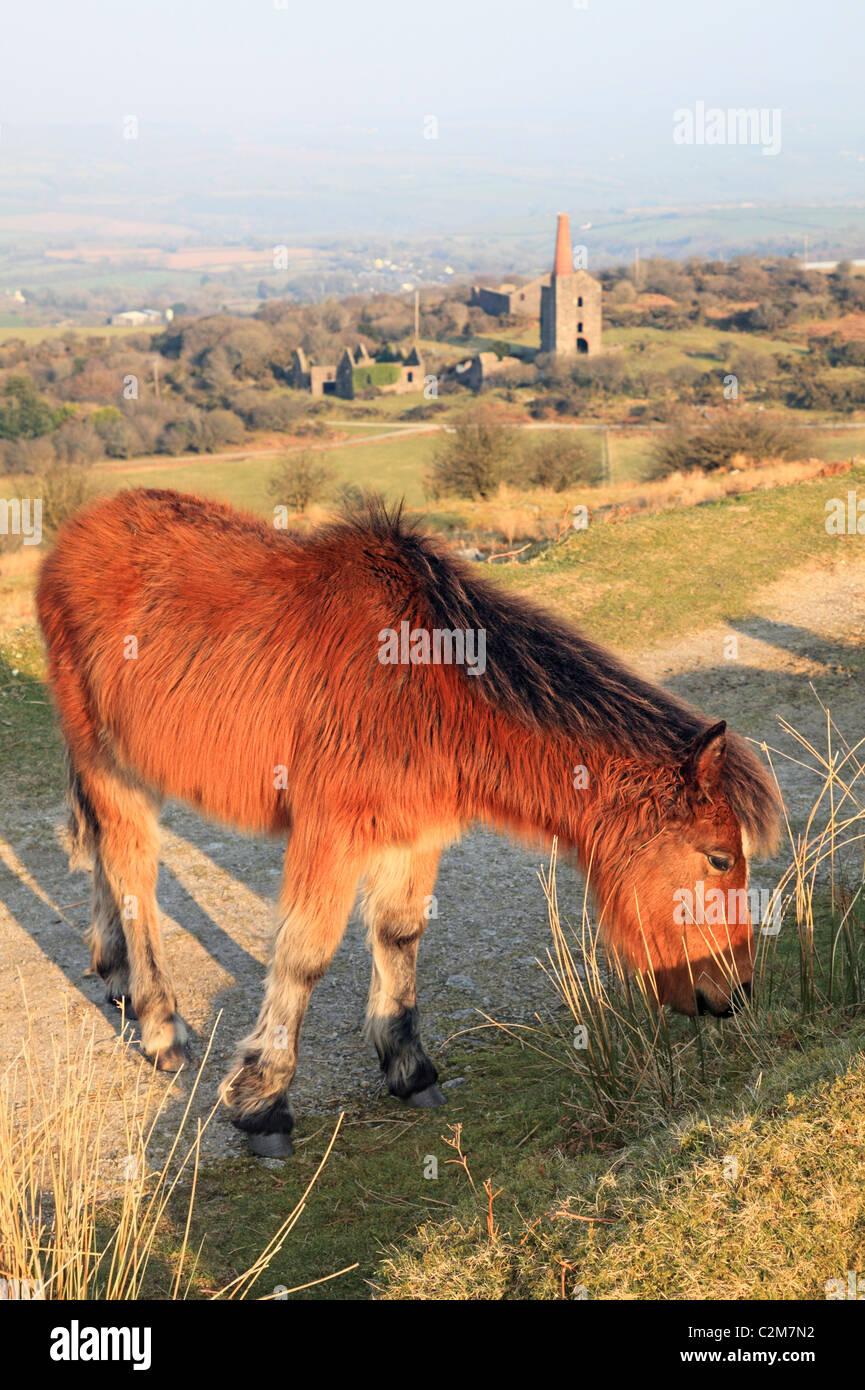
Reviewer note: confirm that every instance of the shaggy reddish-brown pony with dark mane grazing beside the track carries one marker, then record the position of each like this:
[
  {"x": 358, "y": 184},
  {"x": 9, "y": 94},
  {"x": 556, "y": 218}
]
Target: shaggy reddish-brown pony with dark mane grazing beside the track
[{"x": 366, "y": 697}]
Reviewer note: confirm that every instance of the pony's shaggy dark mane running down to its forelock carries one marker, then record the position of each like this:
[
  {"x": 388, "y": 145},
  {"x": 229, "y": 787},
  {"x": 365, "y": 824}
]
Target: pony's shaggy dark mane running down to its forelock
[{"x": 547, "y": 675}]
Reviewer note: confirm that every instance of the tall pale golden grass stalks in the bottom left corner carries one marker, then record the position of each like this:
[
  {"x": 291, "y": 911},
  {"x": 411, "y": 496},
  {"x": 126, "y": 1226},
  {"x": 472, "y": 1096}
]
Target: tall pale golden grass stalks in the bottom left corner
[{"x": 87, "y": 1214}]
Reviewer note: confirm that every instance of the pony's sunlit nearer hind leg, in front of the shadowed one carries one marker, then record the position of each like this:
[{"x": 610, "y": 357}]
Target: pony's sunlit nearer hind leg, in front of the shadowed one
[{"x": 124, "y": 839}]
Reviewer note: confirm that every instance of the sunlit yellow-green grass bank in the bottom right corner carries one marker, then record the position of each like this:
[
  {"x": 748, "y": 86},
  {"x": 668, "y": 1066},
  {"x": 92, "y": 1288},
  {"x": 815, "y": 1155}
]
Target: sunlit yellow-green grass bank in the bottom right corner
[{"x": 760, "y": 1197}]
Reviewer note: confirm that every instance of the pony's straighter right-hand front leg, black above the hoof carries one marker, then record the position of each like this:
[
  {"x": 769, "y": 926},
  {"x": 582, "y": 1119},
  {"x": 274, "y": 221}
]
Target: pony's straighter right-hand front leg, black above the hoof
[{"x": 398, "y": 893}]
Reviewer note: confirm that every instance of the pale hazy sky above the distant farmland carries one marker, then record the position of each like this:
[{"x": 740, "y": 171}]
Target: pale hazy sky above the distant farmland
[{"x": 309, "y": 119}]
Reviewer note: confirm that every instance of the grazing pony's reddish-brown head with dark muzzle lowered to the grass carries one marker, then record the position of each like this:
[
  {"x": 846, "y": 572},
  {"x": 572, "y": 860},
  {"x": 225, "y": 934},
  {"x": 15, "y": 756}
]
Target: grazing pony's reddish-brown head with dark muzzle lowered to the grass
[{"x": 672, "y": 883}]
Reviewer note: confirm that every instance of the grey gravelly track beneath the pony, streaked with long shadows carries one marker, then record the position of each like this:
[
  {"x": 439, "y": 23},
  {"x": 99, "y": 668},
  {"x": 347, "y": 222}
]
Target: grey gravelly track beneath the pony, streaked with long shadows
[{"x": 218, "y": 889}]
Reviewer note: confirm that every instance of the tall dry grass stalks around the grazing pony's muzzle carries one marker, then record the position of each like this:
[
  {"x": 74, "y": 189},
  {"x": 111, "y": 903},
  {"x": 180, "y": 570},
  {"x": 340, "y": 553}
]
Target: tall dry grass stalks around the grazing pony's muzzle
[{"x": 818, "y": 968}]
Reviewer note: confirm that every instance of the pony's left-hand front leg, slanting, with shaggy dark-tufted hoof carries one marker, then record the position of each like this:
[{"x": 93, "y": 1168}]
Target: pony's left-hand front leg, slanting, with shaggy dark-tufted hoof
[{"x": 319, "y": 888}]
